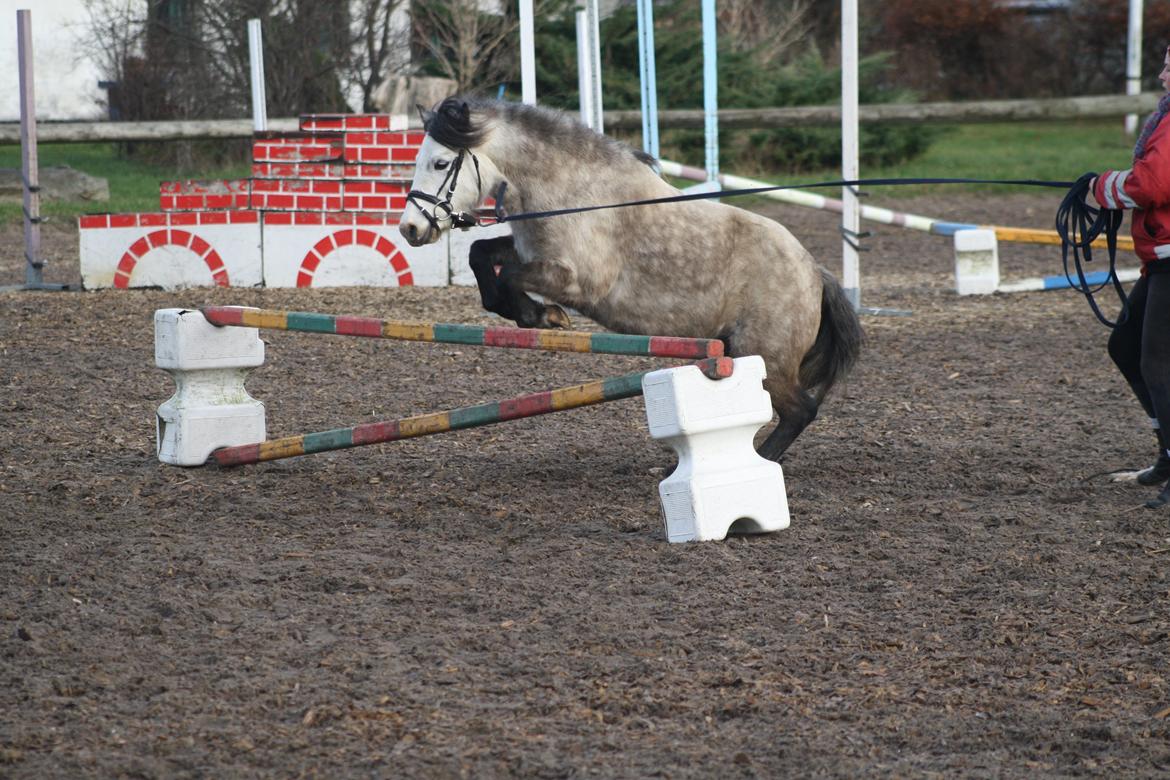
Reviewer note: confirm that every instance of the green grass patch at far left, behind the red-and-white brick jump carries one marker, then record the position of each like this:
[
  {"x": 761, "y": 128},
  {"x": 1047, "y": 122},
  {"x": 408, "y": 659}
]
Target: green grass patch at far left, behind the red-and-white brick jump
[{"x": 134, "y": 185}]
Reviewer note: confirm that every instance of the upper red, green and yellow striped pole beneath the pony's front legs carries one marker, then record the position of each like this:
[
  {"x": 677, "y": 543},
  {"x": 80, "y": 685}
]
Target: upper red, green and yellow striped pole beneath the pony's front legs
[{"x": 526, "y": 339}]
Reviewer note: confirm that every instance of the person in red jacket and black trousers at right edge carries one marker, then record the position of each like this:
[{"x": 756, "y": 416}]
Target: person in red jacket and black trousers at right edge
[{"x": 1141, "y": 344}]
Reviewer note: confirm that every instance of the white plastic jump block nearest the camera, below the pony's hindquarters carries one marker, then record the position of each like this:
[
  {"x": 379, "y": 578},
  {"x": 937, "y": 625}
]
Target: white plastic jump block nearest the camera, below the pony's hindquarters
[{"x": 721, "y": 484}]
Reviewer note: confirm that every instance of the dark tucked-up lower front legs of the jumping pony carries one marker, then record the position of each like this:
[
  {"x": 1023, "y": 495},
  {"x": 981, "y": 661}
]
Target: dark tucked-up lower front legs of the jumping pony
[{"x": 503, "y": 293}]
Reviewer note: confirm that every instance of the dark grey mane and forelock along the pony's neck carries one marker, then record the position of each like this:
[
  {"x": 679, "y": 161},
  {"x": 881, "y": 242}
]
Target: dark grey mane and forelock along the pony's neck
[{"x": 455, "y": 125}]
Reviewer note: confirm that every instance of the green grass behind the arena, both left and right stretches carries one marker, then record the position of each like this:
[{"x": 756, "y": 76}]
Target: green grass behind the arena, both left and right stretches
[{"x": 1054, "y": 150}]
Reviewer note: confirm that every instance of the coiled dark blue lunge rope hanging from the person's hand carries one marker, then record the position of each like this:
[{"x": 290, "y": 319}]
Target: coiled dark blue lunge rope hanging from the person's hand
[{"x": 1079, "y": 225}]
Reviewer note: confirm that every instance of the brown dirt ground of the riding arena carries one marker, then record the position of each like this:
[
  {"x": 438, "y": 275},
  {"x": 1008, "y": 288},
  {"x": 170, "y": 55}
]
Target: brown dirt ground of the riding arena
[{"x": 963, "y": 590}]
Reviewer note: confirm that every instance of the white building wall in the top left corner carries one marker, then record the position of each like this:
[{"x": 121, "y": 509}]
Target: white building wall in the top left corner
[{"x": 66, "y": 82}]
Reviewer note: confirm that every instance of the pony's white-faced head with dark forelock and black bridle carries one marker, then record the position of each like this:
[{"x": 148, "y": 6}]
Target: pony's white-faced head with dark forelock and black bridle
[{"x": 450, "y": 176}]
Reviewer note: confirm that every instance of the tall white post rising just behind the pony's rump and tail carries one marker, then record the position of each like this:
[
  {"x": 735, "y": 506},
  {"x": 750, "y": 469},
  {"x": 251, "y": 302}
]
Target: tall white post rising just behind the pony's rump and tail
[{"x": 851, "y": 215}]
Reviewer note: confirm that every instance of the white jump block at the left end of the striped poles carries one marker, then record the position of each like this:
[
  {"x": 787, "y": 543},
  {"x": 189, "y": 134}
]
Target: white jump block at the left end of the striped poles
[{"x": 211, "y": 409}]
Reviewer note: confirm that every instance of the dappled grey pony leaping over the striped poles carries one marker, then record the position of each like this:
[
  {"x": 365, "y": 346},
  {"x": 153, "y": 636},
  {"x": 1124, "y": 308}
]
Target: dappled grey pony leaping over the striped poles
[{"x": 697, "y": 268}]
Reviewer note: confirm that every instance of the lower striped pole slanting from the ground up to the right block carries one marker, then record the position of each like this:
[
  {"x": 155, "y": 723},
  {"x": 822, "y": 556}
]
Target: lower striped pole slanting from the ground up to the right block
[{"x": 470, "y": 417}]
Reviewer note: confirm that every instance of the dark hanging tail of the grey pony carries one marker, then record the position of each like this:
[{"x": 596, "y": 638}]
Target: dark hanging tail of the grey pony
[{"x": 838, "y": 343}]
